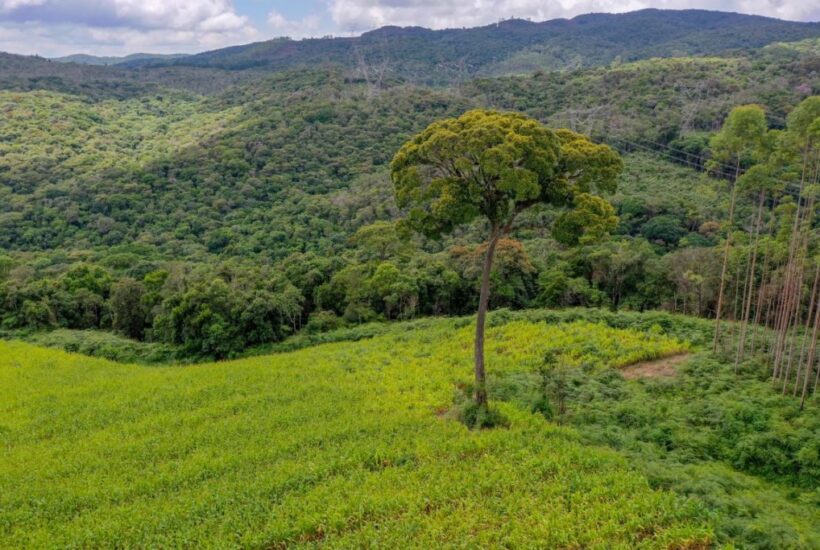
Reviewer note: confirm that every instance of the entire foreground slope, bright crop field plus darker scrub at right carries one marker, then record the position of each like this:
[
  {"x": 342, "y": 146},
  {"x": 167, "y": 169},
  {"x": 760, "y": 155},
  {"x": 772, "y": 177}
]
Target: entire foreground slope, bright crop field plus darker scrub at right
[{"x": 350, "y": 444}]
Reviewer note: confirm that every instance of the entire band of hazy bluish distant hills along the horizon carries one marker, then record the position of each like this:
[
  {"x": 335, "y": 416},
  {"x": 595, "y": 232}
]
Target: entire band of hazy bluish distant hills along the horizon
[{"x": 392, "y": 55}]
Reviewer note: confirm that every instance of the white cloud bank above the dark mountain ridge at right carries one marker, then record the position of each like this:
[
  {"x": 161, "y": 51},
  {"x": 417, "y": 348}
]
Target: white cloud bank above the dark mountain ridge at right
[{"x": 359, "y": 15}]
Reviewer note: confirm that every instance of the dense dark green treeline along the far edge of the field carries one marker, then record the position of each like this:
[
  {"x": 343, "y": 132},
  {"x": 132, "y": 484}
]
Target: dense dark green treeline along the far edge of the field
[{"x": 219, "y": 309}]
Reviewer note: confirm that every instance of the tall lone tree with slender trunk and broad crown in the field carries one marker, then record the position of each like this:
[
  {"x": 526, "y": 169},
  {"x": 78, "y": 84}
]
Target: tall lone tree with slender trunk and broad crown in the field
[{"x": 495, "y": 165}]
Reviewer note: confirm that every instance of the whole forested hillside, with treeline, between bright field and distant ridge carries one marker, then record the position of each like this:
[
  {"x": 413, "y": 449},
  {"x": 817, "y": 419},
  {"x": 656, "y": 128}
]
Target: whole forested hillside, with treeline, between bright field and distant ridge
[{"x": 273, "y": 194}]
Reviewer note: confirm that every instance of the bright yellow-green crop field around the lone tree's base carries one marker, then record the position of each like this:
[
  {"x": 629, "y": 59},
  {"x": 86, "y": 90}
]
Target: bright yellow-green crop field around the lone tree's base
[{"x": 341, "y": 444}]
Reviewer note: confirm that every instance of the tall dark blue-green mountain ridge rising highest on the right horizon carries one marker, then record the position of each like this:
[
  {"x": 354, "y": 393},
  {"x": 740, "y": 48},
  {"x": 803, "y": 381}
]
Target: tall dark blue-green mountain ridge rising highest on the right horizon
[{"x": 514, "y": 46}]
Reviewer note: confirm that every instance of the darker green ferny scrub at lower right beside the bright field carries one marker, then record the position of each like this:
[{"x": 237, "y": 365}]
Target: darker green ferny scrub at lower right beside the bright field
[{"x": 728, "y": 441}]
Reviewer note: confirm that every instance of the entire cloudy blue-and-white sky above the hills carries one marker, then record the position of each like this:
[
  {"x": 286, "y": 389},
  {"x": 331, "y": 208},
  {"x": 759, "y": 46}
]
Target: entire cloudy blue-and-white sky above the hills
[{"x": 117, "y": 27}]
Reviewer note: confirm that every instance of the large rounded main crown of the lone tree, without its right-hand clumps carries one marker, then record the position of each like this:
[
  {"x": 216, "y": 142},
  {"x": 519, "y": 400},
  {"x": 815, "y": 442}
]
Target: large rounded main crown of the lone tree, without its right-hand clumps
[{"x": 482, "y": 163}]
